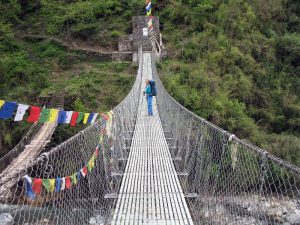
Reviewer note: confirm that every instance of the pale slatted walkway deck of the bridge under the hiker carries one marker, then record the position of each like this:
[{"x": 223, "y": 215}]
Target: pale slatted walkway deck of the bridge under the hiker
[{"x": 150, "y": 192}]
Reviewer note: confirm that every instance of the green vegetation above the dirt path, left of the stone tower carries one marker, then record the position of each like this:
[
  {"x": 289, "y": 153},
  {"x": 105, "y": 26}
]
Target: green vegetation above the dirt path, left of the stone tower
[{"x": 101, "y": 22}]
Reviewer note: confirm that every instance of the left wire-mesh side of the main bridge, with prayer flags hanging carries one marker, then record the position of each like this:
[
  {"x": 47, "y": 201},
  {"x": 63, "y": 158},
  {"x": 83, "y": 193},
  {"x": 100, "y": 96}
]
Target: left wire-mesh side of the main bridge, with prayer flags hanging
[{"x": 95, "y": 152}]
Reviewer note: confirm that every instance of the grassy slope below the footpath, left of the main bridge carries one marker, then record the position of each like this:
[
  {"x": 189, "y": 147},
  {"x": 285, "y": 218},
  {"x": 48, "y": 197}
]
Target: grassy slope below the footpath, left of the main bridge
[{"x": 91, "y": 86}]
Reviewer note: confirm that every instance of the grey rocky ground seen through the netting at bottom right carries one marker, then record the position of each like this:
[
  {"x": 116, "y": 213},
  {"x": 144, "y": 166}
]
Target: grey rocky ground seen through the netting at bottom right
[{"x": 253, "y": 210}]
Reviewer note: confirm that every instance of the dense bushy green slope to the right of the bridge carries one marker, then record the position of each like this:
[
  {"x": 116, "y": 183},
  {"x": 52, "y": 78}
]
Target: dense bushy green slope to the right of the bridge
[{"x": 236, "y": 63}]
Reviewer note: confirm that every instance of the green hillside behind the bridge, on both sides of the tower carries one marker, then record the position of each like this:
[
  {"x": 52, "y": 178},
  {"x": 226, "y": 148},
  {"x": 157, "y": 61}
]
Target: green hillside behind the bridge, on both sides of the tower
[{"x": 235, "y": 63}]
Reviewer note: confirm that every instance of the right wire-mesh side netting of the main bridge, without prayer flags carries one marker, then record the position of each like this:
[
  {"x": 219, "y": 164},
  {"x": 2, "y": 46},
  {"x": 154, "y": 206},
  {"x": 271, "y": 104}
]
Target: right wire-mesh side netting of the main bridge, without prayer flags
[{"x": 226, "y": 180}]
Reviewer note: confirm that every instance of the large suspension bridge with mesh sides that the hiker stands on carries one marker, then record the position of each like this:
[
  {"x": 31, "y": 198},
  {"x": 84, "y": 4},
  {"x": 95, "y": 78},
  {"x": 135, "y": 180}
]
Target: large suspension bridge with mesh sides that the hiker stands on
[{"x": 170, "y": 168}]
